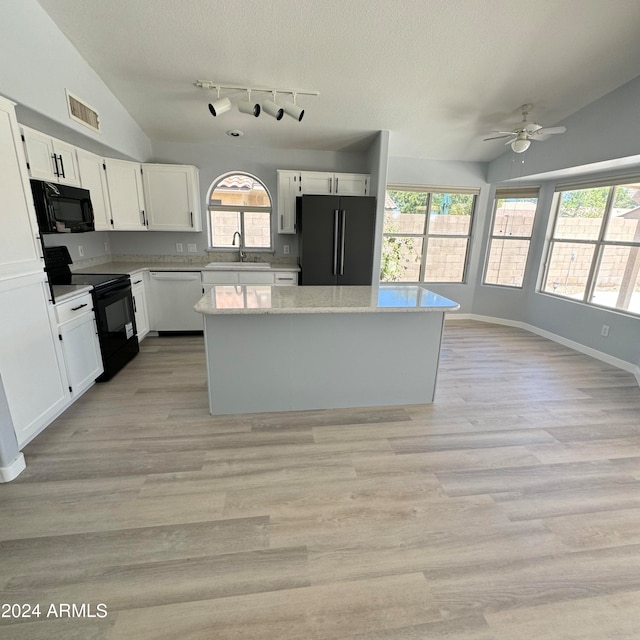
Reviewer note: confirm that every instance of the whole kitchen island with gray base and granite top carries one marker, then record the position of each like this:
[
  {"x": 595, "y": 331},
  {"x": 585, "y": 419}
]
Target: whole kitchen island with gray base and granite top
[{"x": 317, "y": 347}]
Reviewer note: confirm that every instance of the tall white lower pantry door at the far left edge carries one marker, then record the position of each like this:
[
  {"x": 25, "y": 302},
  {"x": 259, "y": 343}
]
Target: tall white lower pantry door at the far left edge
[{"x": 36, "y": 393}]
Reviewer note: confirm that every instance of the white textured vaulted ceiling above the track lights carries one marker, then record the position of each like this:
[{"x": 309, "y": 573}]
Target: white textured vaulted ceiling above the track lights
[{"x": 439, "y": 74}]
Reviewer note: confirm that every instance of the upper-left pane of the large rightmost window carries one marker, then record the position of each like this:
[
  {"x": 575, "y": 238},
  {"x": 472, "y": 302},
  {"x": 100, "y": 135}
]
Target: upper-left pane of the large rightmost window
[{"x": 580, "y": 213}]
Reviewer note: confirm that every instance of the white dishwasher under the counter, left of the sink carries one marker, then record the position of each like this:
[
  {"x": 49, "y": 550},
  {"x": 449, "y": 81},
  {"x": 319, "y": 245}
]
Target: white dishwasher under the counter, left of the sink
[{"x": 173, "y": 295}]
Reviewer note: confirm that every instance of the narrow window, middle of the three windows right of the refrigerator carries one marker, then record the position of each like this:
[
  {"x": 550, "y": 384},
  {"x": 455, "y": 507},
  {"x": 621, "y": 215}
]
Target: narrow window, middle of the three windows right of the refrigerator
[{"x": 514, "y": 213}]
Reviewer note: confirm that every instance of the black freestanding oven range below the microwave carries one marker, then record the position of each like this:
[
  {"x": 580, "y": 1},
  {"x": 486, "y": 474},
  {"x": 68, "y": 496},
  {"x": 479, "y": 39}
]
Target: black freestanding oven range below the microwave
[{"x": 113, "y": 307}]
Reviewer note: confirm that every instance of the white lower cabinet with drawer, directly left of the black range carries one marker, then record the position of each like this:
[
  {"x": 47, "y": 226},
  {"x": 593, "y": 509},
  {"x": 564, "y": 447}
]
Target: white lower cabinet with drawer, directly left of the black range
[{"x": 78, "y": 336}]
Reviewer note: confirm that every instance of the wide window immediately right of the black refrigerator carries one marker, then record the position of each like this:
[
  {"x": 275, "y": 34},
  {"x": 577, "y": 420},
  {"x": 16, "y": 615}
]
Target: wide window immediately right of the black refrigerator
[{"x": 426, "y": 234}]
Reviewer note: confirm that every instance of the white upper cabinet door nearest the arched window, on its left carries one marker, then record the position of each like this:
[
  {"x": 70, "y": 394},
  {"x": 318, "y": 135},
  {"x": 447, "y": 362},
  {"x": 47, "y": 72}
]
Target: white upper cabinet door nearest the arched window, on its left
[{"x": 172, "y": 197}]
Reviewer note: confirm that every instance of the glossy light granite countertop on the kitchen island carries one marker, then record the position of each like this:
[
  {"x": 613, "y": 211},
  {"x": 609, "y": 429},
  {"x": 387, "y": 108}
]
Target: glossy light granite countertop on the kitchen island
[{"x": 254, "y": 299}]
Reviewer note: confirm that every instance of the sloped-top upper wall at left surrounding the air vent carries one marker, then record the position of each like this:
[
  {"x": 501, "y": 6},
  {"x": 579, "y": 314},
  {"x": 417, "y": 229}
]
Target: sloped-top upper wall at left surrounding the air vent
[{"x": 39, "y": 63}]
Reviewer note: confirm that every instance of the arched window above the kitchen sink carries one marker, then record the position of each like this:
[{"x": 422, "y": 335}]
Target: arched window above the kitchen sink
[{"x": 239, "y": 203}]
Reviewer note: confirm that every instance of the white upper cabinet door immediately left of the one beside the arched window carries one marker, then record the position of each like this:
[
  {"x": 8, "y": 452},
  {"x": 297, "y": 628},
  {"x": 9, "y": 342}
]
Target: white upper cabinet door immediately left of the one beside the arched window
[{"x": 124, "y": 183}]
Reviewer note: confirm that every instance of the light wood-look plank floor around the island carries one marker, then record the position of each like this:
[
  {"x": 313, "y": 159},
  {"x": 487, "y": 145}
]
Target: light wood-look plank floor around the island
[{"x": 507, "y": 510}]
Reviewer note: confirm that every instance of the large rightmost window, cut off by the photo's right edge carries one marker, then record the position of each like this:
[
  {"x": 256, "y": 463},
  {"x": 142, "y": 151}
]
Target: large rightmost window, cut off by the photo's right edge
[{"x": 594, "y": 249}]
